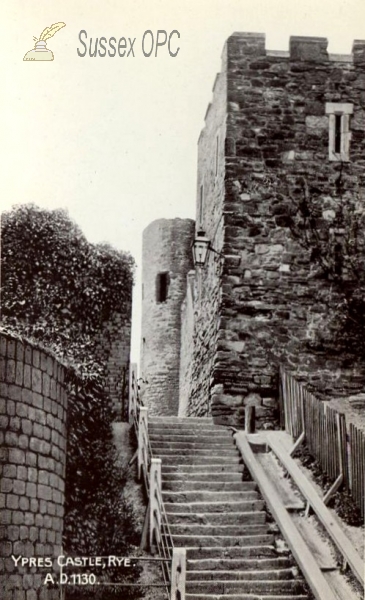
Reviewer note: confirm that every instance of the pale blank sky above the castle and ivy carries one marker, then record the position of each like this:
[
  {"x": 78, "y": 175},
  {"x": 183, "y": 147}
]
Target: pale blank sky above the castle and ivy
[{"x": 114, "y": 140}]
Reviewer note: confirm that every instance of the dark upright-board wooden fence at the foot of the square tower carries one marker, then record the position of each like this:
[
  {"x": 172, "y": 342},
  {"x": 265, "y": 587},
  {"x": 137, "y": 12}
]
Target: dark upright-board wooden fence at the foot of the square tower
[{"x": 339, "y": 450}]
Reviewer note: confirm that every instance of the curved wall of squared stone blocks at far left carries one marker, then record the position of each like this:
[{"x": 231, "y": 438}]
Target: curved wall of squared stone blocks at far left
[{"x": 33, "y": 407}]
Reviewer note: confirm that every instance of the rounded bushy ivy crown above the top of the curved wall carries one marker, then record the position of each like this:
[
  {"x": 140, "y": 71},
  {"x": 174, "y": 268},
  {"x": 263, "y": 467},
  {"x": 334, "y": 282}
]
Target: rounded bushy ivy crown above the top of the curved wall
[{"x": 57, "y": 287}]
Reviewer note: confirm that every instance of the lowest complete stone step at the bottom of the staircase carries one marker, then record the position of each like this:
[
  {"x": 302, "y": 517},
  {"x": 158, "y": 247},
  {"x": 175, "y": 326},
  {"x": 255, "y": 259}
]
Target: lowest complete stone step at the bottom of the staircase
[{"x": 273, "y": 587}]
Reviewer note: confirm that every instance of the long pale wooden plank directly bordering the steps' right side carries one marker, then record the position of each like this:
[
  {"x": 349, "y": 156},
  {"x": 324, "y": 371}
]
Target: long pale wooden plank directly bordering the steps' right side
[{"x": 306, "y": 561}]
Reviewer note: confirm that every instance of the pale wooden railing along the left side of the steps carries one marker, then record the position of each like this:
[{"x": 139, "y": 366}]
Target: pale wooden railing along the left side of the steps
[{"x": 156, "y": 532}]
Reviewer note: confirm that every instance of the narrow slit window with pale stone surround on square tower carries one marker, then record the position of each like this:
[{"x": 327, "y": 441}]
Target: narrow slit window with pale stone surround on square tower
[{"x": 339, "y": 130}]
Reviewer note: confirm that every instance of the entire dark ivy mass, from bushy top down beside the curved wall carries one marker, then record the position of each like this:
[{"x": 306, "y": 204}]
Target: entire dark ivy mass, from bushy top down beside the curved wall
[{"x": 59, "y": 290}]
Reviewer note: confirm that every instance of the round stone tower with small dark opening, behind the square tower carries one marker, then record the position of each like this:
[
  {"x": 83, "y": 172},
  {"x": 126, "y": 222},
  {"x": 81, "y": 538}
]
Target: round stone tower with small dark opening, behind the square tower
[{"x": 166, "y": 260}]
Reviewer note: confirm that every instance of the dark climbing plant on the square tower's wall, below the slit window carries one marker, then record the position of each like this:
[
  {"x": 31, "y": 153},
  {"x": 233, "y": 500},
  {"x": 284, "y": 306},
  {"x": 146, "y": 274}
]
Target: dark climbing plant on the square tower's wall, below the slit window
[{"x": 331, "y": 230}]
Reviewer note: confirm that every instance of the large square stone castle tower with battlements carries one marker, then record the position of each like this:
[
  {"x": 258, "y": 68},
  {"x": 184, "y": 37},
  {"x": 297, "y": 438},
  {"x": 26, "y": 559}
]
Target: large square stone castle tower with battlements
[{"x": 282, "y": 127}]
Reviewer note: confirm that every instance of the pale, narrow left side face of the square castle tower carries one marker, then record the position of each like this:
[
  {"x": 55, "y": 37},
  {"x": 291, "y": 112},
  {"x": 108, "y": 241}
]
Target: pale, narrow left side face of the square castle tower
[{"x": 209, "y": 217}]
